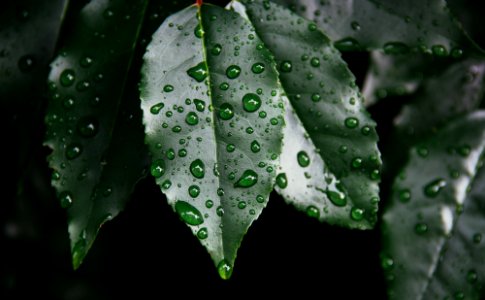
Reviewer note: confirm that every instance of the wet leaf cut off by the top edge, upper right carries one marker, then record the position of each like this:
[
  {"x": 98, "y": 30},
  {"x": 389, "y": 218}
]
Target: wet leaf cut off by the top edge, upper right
[{"x": 394, "y": 26}]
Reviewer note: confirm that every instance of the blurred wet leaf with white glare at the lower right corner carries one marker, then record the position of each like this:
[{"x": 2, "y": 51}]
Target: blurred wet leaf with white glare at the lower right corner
[{"x": 430, "y": 243}]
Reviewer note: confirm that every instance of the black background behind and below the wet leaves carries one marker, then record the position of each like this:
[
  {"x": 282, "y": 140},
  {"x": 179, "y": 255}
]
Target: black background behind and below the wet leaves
[{"x": 146, "y": 252}]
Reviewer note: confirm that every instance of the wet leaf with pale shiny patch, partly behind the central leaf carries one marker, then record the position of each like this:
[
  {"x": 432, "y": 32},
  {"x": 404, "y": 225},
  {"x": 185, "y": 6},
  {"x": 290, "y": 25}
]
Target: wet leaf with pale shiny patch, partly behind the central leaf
[{"x": 330, "y": 161}]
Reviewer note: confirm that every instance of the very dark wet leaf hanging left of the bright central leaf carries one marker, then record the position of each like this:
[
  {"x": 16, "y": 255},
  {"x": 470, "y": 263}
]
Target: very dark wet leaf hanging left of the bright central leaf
[{"x": 94, "y": 124}]
